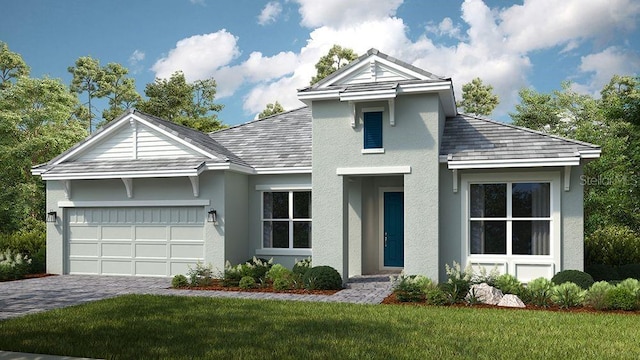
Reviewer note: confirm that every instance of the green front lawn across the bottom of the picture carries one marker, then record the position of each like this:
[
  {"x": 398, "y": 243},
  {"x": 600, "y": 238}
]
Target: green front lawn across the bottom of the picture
[{"x": 145, "y": 326}]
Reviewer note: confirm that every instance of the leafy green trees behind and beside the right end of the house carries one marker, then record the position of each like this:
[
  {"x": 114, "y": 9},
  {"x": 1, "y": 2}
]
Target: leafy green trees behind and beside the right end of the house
[{"x": 612, "y": 182}]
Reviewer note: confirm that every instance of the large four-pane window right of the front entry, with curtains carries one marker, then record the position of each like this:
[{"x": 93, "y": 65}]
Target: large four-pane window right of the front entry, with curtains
[{"x": 510, "y": 218}]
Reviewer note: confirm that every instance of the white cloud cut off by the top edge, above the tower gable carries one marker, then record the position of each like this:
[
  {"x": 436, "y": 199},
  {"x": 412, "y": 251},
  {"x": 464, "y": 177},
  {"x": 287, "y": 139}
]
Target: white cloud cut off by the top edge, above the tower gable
[{"x": 337, "y": 13}]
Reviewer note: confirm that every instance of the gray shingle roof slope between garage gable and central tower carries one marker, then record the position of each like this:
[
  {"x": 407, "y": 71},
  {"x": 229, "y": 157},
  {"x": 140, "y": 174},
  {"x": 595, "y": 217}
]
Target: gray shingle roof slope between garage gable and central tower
[{"x": 278, "y": 141}]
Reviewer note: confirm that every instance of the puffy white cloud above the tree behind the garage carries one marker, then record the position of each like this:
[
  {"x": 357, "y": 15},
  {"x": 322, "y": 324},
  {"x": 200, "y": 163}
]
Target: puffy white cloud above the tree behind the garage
[{"x": 199, "y": 56}]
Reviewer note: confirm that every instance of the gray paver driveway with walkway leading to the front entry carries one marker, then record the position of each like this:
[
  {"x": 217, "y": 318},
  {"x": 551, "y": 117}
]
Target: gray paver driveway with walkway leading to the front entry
[{"x": 22, "y": 297}]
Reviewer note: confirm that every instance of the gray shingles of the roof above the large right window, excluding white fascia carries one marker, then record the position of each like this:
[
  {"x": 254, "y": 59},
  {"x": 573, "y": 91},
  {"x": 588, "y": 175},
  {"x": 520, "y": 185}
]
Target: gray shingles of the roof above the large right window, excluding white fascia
[{"x": 471, "y": 138}]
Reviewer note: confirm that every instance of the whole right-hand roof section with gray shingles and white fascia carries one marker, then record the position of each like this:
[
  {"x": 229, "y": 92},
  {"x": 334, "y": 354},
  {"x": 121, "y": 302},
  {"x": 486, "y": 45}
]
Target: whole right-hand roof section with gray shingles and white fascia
[{"x": 473, "y": 142}]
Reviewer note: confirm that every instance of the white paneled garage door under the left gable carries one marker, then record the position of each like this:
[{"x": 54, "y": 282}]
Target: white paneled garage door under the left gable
[{"x": 144, "y": 241}]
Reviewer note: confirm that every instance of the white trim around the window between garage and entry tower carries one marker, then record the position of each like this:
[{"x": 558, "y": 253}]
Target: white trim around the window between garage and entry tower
[{"x": 282, "y": 251}]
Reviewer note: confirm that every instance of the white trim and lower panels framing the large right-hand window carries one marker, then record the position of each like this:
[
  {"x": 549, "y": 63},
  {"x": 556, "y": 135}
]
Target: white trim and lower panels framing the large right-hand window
[{"x": 511, "y": 262}]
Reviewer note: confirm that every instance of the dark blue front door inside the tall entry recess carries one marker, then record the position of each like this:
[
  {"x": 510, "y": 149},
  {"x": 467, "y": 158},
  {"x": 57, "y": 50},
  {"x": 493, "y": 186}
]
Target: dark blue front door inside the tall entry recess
[{"x": 394, "y": 229}]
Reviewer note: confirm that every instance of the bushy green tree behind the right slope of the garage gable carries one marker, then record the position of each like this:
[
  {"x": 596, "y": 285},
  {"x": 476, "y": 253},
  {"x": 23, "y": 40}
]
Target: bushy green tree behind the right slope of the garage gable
[{"x": 187, "y": 104}]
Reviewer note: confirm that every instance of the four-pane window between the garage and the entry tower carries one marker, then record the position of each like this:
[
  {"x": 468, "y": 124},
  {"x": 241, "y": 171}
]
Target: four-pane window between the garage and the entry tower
[{"x": 286, "y": 219}]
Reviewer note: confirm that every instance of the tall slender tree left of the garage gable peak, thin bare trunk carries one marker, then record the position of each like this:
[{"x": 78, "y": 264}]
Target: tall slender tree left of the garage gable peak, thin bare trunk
[{"x": 86, "y": 77}]
